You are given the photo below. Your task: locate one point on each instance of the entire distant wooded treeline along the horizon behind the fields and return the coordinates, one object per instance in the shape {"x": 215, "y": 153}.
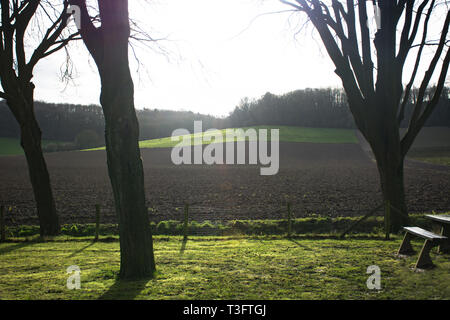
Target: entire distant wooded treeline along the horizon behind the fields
{"x": 83, "y": 125}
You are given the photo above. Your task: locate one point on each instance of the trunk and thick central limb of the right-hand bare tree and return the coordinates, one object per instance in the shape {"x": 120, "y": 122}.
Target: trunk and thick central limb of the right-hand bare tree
{"x": 387, "y": 146}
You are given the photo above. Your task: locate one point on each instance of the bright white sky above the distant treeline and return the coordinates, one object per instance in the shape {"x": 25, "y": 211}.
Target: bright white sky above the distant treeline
{"x": 219, "y": 52}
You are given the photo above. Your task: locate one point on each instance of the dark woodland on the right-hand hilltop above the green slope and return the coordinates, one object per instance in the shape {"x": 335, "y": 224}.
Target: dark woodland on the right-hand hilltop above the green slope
{"x": 321, "y": 108}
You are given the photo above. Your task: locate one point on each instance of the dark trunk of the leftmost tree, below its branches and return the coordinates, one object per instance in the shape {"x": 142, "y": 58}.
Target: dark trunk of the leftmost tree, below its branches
{"x": 37, "y": 168}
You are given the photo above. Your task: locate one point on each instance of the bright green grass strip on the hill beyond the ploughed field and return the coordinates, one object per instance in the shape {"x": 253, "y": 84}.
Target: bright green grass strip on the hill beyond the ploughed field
{"x": 287, "y": 134}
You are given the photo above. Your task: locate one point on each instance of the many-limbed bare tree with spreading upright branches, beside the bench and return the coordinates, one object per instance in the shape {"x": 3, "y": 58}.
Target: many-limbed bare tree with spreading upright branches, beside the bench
{"x": 376, "y": 96}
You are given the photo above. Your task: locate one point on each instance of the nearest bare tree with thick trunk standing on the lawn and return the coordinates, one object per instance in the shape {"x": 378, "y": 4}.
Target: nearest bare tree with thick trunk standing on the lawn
{"x": 108, "y": 45}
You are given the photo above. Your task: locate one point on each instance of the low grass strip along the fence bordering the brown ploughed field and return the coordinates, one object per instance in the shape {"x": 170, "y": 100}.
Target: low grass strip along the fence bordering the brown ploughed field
{"x": 315, "y": 225}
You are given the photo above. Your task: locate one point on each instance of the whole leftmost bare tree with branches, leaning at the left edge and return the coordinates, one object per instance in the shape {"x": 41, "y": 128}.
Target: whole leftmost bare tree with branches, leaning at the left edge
{"x": 16, "y": 73}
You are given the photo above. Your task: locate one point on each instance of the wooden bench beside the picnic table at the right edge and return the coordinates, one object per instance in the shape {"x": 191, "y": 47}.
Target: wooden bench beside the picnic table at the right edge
{"x": 431, "y": 240}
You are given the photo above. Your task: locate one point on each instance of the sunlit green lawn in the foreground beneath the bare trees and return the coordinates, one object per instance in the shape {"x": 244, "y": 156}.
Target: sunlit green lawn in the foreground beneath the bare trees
{"x": 222, "y": 268}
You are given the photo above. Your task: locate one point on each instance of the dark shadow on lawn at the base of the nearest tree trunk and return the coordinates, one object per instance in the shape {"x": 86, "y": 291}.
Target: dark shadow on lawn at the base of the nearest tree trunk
{"x": 125, "y": 289}
